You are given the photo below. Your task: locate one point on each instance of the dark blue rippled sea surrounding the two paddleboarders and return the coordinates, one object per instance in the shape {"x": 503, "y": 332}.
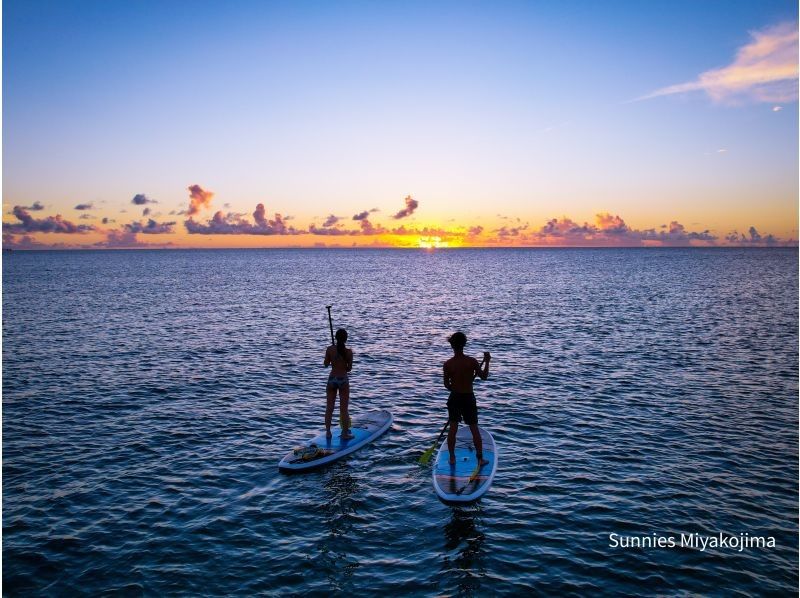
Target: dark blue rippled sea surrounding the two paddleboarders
{"x": 148, "y": 396}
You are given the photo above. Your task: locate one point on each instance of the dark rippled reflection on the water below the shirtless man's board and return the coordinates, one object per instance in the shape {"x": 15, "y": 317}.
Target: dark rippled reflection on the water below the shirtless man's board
{"x": 463, "y": 562}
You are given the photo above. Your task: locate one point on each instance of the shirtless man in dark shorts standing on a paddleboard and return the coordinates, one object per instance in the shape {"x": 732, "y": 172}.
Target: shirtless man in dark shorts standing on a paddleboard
{"x": 459, "y": 372}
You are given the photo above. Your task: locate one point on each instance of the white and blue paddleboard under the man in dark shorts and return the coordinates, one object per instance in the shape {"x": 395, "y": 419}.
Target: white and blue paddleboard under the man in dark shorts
{"x": 465, "y": 482}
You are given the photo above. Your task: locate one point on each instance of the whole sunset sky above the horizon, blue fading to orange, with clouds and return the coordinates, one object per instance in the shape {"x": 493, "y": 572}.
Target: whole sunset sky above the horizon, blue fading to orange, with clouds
{"x": 412, "y": 124}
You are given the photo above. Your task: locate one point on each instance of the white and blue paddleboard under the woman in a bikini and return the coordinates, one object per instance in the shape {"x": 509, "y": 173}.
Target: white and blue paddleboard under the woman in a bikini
{"x": 321, "y": 450}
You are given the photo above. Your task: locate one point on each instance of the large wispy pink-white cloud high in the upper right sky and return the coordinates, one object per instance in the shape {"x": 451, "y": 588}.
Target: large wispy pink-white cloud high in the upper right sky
{"x": 764, "y": 70}
